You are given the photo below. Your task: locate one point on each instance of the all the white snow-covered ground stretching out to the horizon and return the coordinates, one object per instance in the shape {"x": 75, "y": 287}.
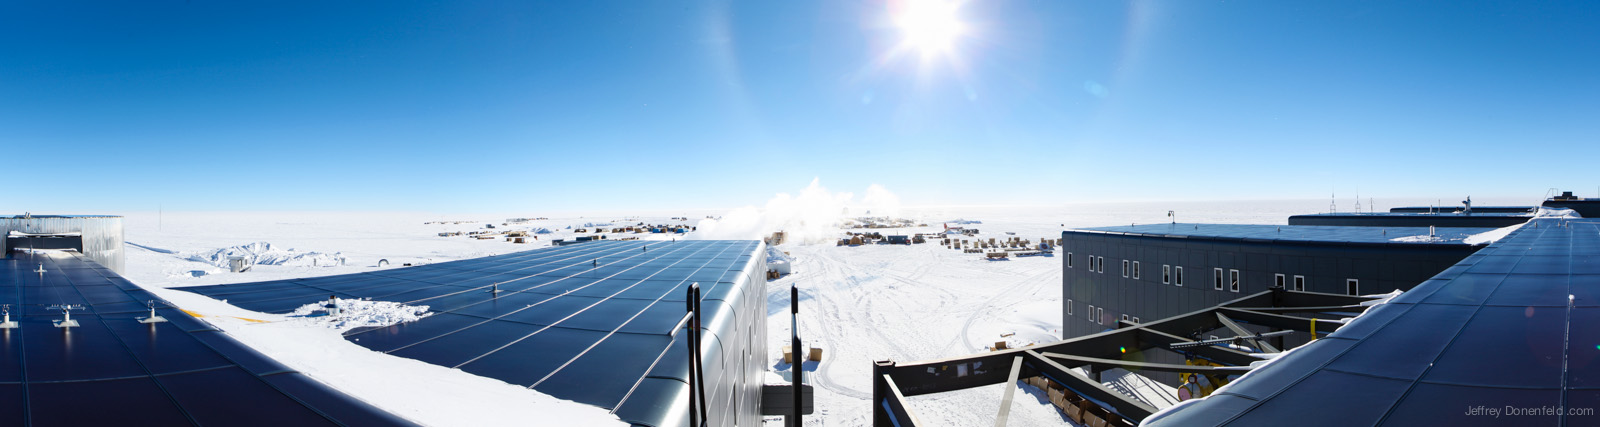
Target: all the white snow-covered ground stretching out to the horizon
{"x": 858, "y": 303}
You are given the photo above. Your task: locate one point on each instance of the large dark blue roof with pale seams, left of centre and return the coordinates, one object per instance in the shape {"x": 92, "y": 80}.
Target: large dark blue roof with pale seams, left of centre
{"x": 594, "y": 322}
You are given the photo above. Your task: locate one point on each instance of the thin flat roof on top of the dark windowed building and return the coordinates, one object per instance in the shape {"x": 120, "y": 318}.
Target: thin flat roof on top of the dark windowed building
{"x": 1327, "y": 234}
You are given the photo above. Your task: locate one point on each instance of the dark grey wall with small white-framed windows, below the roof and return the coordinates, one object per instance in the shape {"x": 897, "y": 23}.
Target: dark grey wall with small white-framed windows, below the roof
{"x": 1326, "y": 266}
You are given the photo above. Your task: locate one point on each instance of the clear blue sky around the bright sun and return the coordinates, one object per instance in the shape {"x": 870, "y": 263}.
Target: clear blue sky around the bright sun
{"x": 527, "y": 106}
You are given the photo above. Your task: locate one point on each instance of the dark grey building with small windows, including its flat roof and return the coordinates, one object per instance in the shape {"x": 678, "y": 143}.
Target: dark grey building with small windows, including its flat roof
{"x": 1150, "y": 273}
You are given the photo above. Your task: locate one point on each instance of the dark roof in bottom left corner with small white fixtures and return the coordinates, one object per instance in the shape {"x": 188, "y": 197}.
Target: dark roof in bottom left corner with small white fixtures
{"x": 118, "y": 372}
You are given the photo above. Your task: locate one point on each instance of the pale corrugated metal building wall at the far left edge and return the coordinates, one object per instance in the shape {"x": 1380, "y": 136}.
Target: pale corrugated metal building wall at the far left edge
{"x": 103, "y": 239}
